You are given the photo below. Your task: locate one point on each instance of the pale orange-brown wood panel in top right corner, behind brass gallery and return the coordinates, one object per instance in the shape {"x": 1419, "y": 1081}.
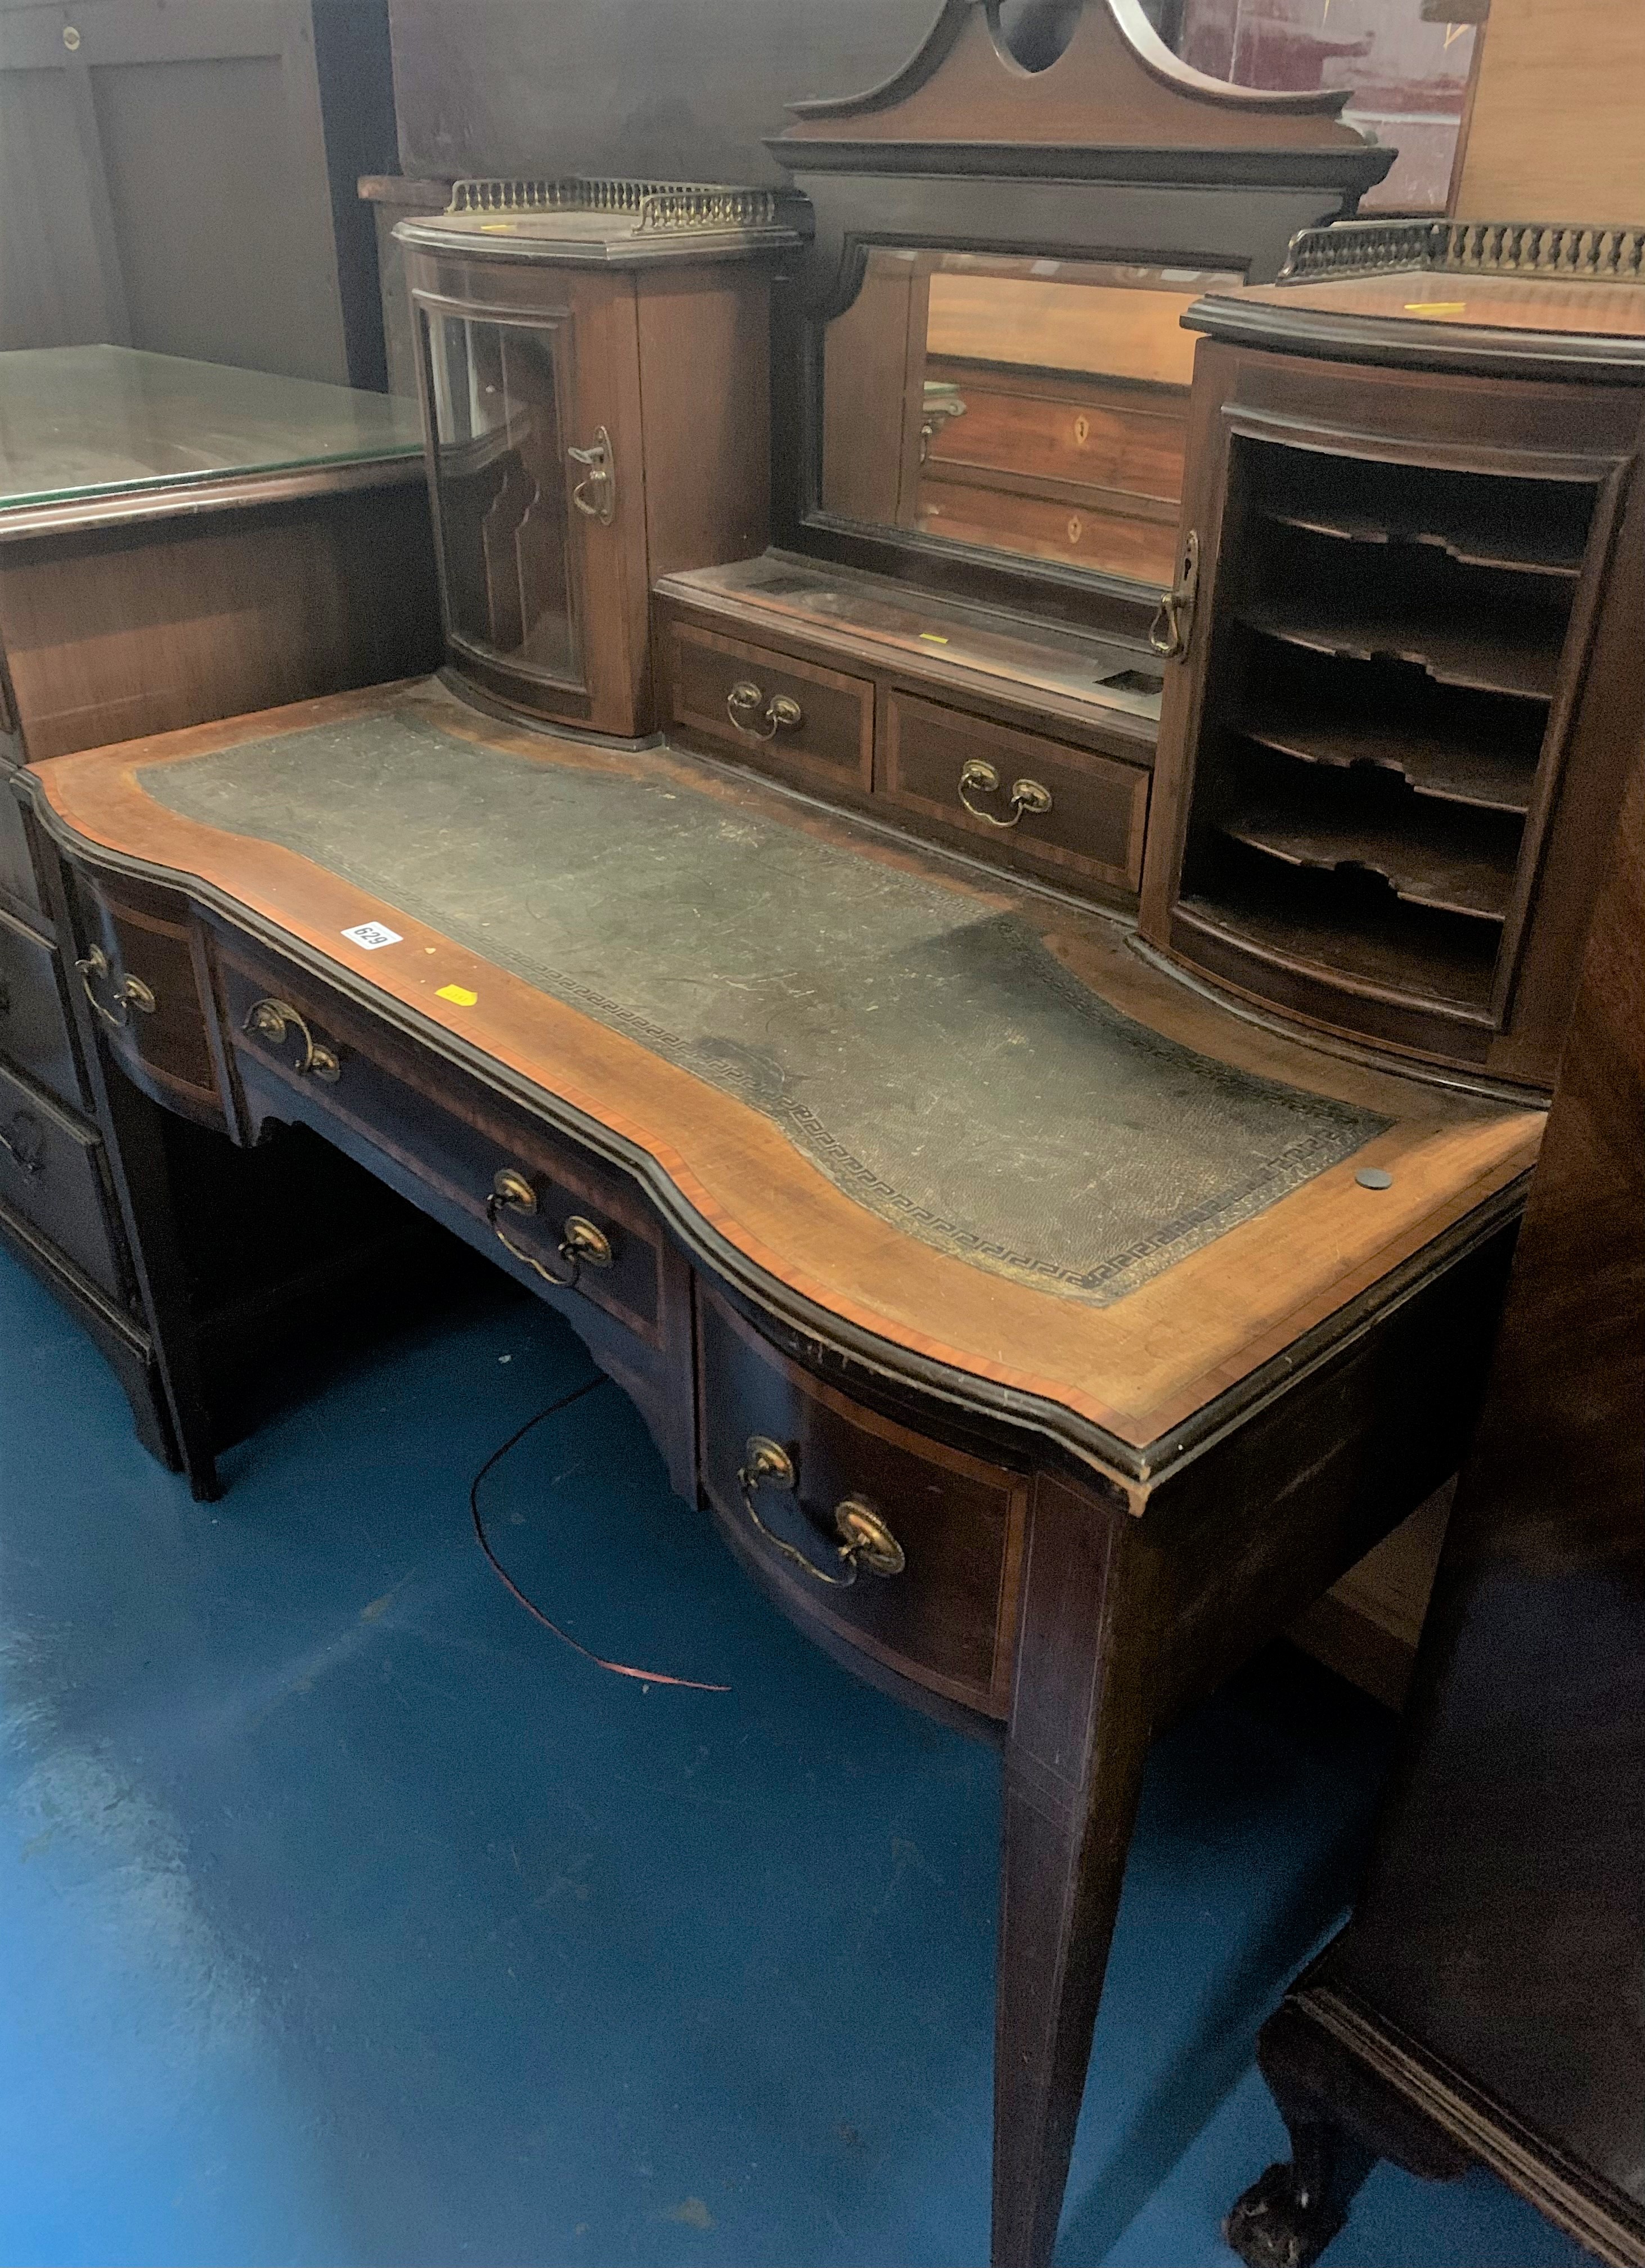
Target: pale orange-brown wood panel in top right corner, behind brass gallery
{"x": 1560, "y": 115}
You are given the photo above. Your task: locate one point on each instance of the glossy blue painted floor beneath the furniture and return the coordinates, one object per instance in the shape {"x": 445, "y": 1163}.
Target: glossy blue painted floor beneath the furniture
{"x": 348, "y": 1918}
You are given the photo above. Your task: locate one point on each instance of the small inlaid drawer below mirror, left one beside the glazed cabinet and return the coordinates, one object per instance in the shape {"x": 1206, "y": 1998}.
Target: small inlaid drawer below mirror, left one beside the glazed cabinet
{"x": 791, "y": 718}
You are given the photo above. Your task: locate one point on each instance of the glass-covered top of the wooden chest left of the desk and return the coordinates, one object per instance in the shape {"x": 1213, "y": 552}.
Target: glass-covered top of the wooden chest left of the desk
{"x": 92, "y": 434}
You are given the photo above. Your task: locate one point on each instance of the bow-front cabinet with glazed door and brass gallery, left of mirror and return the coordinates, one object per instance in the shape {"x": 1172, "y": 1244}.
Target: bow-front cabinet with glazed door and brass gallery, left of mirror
{"x": 593, "y": 366}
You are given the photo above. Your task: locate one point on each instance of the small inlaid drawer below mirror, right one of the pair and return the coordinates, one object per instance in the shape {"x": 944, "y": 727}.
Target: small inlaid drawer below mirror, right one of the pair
{"x": 1031, "y": 802}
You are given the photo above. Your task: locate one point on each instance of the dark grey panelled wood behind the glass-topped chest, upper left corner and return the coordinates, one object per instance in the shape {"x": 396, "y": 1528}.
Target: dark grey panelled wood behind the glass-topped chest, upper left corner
{"x": 180, "y": 176}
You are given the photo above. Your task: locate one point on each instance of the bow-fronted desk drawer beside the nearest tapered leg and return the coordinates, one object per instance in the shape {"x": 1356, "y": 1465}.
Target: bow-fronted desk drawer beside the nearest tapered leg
{"x": 947, "y": 1616}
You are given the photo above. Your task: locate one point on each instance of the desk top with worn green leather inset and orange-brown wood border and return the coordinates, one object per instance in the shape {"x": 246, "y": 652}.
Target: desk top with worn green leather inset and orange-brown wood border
{"x": 643, "y": 942}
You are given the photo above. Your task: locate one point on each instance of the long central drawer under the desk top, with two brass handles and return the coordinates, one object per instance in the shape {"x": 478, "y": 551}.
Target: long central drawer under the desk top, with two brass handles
{"x": 539, "y": 1205}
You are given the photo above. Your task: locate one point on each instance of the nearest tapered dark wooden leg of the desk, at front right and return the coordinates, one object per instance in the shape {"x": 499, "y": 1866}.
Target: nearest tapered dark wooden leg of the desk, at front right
{"x": 1074, "y": 1759}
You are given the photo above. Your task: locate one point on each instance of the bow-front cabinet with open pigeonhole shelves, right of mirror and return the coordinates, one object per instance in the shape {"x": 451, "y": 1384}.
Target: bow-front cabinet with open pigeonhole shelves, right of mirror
{"x": 1408, "y": 684}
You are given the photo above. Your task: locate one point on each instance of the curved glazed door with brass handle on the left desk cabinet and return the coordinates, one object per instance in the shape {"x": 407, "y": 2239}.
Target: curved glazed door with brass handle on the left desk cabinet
{"x": 539, "y": 505}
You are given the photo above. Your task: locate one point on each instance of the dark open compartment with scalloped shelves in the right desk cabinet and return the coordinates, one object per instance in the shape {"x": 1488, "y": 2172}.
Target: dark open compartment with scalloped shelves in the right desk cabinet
{"x": 1383, "y": 686}
